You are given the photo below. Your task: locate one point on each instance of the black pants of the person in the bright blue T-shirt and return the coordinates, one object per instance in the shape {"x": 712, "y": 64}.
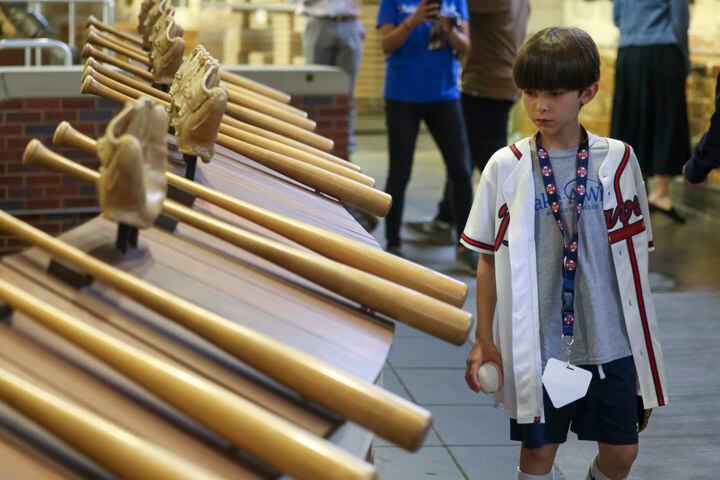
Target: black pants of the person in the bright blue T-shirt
{"x": 445, "y": 123}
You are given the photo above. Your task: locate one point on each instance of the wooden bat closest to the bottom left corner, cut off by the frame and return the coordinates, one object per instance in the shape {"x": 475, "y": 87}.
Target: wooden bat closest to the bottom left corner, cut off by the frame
{"x": 117, "y": 449}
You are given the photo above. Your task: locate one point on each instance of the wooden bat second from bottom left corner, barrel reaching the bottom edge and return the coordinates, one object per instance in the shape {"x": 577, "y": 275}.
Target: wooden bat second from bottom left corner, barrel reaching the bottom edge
{"x": 266, "y": 435}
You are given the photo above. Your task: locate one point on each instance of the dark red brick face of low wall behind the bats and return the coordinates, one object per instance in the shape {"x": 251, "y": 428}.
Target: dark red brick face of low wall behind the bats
{"x": 56, "y": 203}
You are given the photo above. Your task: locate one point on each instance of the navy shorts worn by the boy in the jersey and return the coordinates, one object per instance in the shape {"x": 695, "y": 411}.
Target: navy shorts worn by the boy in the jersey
{"x": 608, "y": 413}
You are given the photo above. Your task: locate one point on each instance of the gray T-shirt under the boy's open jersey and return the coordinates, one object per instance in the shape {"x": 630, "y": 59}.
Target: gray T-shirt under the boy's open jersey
{"x": 599, "y": 331}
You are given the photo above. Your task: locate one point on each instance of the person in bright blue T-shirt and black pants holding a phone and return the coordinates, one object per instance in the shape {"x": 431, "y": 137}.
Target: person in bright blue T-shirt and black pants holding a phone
{"x": 422, "y": 40}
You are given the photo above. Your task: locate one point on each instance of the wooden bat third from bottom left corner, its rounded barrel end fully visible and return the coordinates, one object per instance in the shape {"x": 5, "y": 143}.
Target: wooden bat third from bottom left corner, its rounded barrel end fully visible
{"x": 372, "y": 407}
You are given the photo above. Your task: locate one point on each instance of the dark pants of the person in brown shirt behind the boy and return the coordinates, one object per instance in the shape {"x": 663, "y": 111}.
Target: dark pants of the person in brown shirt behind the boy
{"x": 486, "y": 122}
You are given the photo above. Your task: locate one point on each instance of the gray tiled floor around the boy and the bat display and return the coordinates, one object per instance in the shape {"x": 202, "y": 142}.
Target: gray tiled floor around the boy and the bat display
{"x": 470, "y": 439}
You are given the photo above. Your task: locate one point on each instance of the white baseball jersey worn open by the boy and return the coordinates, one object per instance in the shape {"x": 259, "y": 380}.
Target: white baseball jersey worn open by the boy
{"x": 501, "y": 223}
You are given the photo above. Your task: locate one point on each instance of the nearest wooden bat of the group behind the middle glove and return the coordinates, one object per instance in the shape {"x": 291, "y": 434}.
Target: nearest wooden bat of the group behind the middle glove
{"x": 330, "y": 183}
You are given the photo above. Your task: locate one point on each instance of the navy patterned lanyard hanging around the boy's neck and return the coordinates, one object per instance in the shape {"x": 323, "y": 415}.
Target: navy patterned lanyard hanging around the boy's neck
{"x": 570, "y": 249}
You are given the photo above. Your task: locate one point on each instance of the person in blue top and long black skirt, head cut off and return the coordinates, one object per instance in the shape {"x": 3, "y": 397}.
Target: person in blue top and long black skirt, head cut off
{"x": 649, "y": 107}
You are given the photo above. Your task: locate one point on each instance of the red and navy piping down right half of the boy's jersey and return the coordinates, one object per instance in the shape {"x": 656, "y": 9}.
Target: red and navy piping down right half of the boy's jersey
{"x": 637, "y": 283}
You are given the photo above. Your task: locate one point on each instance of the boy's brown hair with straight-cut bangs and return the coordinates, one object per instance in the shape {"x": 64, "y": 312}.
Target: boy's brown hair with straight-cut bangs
{"x": 557, "y": 58}
